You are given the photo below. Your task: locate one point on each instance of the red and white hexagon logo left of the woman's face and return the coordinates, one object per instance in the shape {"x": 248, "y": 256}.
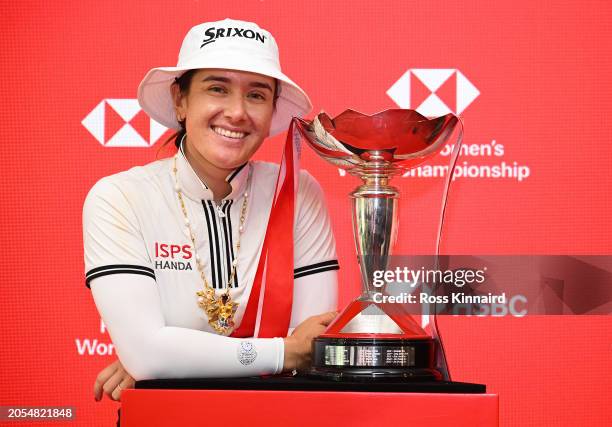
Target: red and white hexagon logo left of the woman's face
{"x": 122, "y": 123}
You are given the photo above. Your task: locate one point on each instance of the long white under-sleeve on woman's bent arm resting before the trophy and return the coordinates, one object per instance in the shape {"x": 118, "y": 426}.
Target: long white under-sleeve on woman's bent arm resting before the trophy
{"x": 131, "y": 309}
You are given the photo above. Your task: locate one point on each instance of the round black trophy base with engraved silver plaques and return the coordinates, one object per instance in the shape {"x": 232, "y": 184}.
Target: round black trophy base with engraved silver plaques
{"x": 374, "y": 358}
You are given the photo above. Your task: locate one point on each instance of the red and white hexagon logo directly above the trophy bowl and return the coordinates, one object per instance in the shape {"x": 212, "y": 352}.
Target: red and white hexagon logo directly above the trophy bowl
{"x": 433, "y": 91}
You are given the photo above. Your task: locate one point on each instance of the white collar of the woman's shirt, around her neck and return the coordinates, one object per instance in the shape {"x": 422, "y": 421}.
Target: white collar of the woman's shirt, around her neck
{"x": 194, "y": 188}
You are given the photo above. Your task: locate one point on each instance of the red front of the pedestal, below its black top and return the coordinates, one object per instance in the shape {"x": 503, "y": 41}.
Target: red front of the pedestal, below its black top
{"x": 305, "y": 408}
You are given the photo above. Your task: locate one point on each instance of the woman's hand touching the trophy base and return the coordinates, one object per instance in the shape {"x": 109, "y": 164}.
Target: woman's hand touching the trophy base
{"x": 298, "y": 346}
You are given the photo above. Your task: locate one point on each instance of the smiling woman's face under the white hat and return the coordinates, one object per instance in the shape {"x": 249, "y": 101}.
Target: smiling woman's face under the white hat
{"x": 227, "y": 116}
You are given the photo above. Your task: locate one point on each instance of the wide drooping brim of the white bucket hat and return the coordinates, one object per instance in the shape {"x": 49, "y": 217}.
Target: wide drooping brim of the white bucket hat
{"x": 155, "y": 98}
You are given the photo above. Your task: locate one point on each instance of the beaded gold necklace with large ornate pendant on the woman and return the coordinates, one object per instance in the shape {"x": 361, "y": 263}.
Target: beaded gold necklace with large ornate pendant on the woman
{"x": 219, "y": 309}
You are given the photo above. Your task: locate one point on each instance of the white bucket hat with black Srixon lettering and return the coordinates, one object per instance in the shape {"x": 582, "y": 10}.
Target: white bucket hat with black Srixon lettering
{"x": 227, "y": 44}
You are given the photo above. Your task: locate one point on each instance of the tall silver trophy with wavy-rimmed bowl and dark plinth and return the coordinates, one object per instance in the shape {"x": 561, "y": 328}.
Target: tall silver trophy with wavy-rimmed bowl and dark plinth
{"x": 371, "y": 340}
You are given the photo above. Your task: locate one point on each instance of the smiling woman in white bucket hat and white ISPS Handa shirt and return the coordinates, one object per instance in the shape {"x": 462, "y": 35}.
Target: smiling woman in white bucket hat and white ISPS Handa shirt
{"x": 172, "y": 249}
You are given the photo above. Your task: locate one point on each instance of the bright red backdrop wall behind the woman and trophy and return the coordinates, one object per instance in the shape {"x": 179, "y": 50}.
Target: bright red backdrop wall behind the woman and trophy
{"x": 528, "y": 76}
